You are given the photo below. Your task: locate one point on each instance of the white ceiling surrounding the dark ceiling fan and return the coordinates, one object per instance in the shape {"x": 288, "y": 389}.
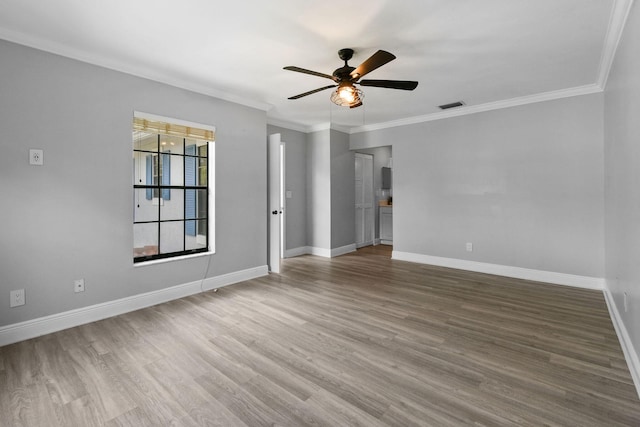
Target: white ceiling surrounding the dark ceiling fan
{"x": 483, "y": 52}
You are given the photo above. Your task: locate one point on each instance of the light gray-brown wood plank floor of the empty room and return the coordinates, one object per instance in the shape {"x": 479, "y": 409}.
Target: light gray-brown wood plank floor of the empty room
{"x": 358, "y": 340}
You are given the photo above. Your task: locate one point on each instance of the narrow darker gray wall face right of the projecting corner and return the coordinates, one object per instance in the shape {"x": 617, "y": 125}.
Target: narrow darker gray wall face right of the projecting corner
{"x": 343, "y": 193}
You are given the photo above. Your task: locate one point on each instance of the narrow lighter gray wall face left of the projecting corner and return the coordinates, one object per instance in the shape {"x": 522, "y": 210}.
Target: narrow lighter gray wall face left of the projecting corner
{"x": 319, "y": 190}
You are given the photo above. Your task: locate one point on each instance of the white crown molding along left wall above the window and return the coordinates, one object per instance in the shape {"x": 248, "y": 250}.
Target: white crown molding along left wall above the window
{"x": 123, "y": 67}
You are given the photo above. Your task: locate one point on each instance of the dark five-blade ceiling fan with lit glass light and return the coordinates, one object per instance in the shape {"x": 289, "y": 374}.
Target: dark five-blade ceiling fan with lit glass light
{"x": 346, "y": 77}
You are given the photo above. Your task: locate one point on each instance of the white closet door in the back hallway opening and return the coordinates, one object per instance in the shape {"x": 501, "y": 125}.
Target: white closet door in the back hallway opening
{"x": 365, "y": 226}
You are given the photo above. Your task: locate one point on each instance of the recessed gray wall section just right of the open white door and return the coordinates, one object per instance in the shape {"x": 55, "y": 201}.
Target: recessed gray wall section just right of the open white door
{"x": 295, "y": 143}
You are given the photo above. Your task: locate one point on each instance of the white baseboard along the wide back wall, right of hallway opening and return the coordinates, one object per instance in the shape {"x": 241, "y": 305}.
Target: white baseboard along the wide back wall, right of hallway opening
{"x": 584, "y": 282}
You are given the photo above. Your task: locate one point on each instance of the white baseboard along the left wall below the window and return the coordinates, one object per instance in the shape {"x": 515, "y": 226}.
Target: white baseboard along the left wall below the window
{"x": 68, "y": 319}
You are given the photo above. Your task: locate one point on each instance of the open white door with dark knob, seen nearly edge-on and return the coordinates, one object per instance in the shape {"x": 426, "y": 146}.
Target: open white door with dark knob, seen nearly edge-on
{"x": 275, "y": 206}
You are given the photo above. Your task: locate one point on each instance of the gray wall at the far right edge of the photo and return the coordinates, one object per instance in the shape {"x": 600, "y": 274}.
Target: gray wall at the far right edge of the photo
{"x": 622, "y": 166}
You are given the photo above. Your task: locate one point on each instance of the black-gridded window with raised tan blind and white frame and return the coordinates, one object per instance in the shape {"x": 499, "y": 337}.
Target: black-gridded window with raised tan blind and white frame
{"x": 172, "y": 206}
